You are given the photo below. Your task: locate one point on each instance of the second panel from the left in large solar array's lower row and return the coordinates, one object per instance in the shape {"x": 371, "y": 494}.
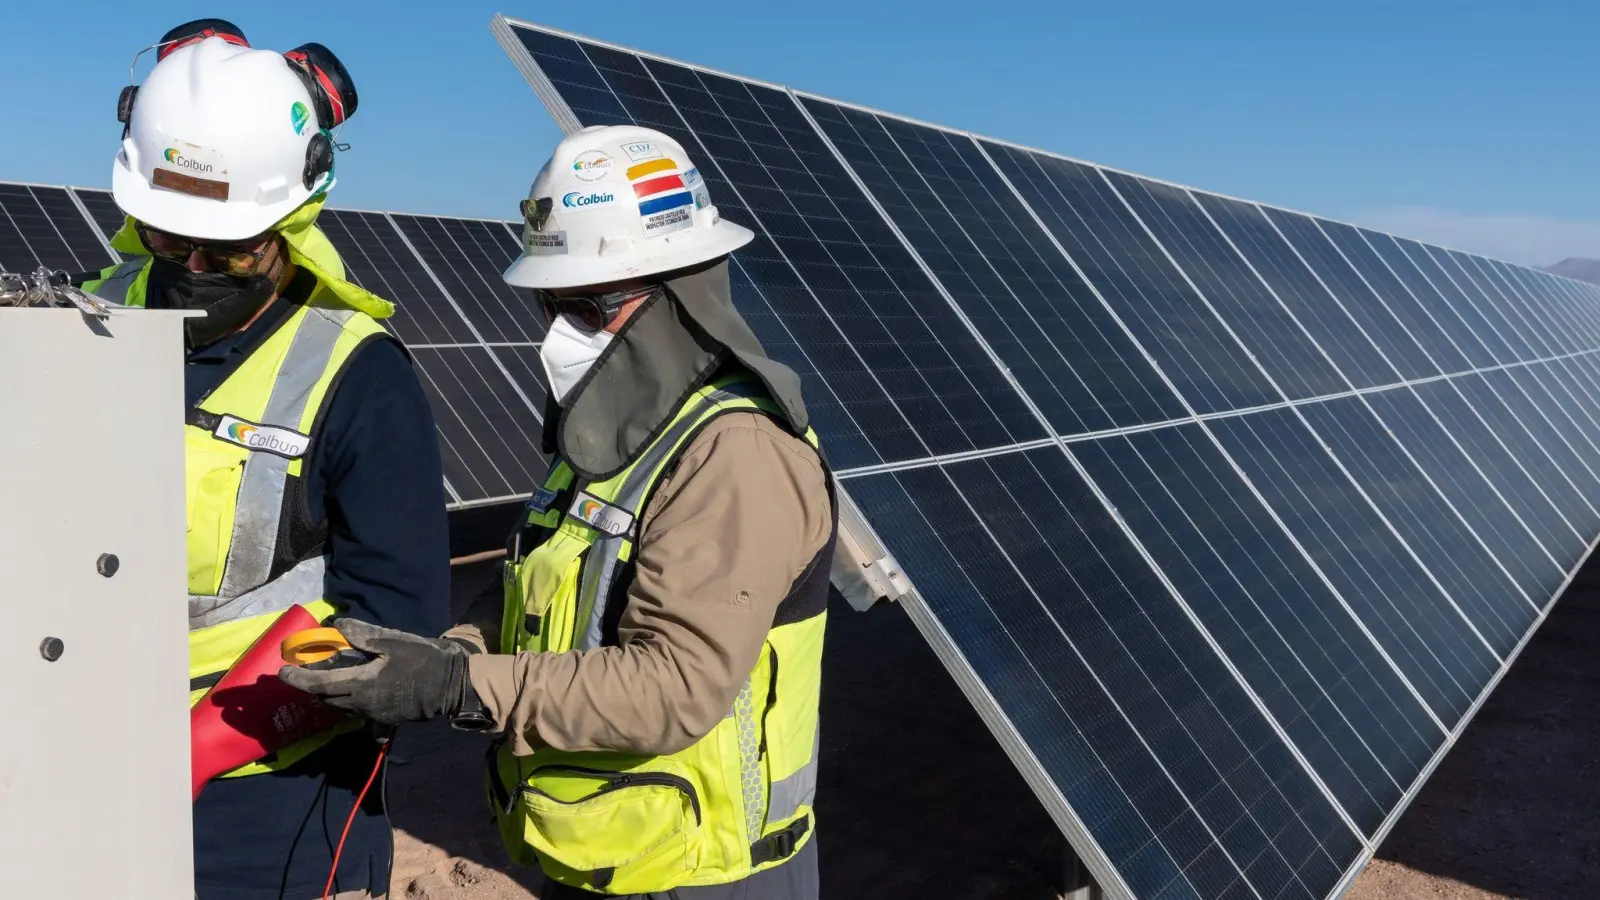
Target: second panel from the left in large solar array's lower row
{"x": 1318, "y": 675}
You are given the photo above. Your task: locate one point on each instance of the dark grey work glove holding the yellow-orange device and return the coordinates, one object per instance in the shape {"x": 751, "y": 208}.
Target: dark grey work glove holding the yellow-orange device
{"x": 410, "y": 680}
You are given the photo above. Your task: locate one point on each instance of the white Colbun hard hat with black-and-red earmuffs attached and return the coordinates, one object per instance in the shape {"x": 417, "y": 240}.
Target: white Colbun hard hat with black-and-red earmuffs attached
{"x": 217, "y": 143}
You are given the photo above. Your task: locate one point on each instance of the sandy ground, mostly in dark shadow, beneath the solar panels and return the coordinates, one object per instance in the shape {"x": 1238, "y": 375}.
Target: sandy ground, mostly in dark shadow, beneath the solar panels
{"x": 1511, "y": 813}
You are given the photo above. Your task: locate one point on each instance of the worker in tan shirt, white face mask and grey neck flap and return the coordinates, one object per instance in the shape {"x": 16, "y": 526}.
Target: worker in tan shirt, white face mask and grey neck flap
{"x": 652, "y": 667}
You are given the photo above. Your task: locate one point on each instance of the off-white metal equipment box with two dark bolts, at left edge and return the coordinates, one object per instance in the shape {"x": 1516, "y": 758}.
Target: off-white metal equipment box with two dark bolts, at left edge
{"x": 94, "y": 625}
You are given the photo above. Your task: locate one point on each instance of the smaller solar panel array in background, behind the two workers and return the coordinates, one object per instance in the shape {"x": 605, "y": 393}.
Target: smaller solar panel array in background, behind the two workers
{"x": 473, "y": 337}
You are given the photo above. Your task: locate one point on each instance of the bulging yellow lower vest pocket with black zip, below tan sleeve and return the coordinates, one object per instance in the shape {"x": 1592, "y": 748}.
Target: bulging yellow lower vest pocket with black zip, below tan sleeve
{"x": 623, "y": 832}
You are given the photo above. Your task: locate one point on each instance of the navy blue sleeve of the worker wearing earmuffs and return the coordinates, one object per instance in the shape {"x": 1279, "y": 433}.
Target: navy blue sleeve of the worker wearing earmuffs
{"x": 380, "y": 481}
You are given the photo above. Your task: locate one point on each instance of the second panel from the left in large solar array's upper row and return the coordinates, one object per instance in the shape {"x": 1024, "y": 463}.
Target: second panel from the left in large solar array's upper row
{"x": 1001, "y": 268}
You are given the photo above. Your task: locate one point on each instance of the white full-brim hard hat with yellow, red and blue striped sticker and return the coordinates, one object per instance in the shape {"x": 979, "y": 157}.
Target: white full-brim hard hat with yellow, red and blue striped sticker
{"x": 618, "y": 203}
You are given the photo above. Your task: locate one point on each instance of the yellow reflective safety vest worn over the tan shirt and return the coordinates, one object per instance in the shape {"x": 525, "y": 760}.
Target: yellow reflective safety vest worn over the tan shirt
{"x": 735, "y": 803}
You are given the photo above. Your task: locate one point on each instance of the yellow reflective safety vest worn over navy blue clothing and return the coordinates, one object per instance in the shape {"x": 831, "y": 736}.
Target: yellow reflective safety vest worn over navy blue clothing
{"x": 246, "y": 446}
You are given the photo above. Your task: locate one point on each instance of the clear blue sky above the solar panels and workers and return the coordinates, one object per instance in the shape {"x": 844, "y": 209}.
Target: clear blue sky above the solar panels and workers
{"x": 1465, "y": 123}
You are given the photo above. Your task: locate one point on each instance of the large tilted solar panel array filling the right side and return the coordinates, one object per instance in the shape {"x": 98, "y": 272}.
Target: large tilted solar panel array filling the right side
{"x": 1225, "y": 516}
